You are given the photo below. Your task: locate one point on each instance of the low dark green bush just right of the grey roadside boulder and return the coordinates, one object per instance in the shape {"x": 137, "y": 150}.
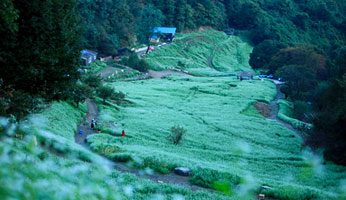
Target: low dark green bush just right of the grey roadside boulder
{"x": 208, "y": 178}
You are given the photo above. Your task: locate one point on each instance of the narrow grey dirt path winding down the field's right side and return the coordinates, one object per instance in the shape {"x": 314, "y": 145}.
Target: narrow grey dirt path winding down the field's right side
{"x": 274, "y": 106}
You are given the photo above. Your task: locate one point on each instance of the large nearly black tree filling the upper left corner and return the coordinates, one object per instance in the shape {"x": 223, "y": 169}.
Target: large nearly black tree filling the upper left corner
{"x": 42, "y": 57}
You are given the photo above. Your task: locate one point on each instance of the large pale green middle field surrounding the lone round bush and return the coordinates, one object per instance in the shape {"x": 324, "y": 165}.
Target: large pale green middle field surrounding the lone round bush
{"x": 218, "y": 136}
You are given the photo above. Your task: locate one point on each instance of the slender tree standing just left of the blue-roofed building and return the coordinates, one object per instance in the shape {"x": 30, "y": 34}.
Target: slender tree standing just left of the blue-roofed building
{"x": 150, "y": 18}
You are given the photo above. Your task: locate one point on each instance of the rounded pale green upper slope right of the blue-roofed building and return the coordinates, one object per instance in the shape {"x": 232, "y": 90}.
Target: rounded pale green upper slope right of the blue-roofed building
{"x": 231, "y": 54}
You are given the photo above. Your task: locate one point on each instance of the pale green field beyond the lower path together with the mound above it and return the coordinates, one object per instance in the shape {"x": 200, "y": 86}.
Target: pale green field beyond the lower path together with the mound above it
{"x": 220, "y": 136}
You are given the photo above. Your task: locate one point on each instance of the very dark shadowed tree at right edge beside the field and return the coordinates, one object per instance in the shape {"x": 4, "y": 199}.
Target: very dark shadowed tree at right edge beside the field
{"x": 329, "y": 125}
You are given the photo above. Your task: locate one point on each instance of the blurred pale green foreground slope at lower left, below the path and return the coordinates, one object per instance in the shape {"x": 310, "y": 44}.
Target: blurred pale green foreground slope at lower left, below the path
{"x": 33, "y": 172}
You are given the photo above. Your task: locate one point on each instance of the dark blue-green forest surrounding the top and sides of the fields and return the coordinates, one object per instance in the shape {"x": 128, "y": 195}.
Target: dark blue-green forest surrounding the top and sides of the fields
{"x": 302, "y": 41}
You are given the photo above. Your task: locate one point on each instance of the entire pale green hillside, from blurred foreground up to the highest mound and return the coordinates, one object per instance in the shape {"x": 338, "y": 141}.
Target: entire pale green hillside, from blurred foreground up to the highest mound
{"x": 228, "y": 145}
